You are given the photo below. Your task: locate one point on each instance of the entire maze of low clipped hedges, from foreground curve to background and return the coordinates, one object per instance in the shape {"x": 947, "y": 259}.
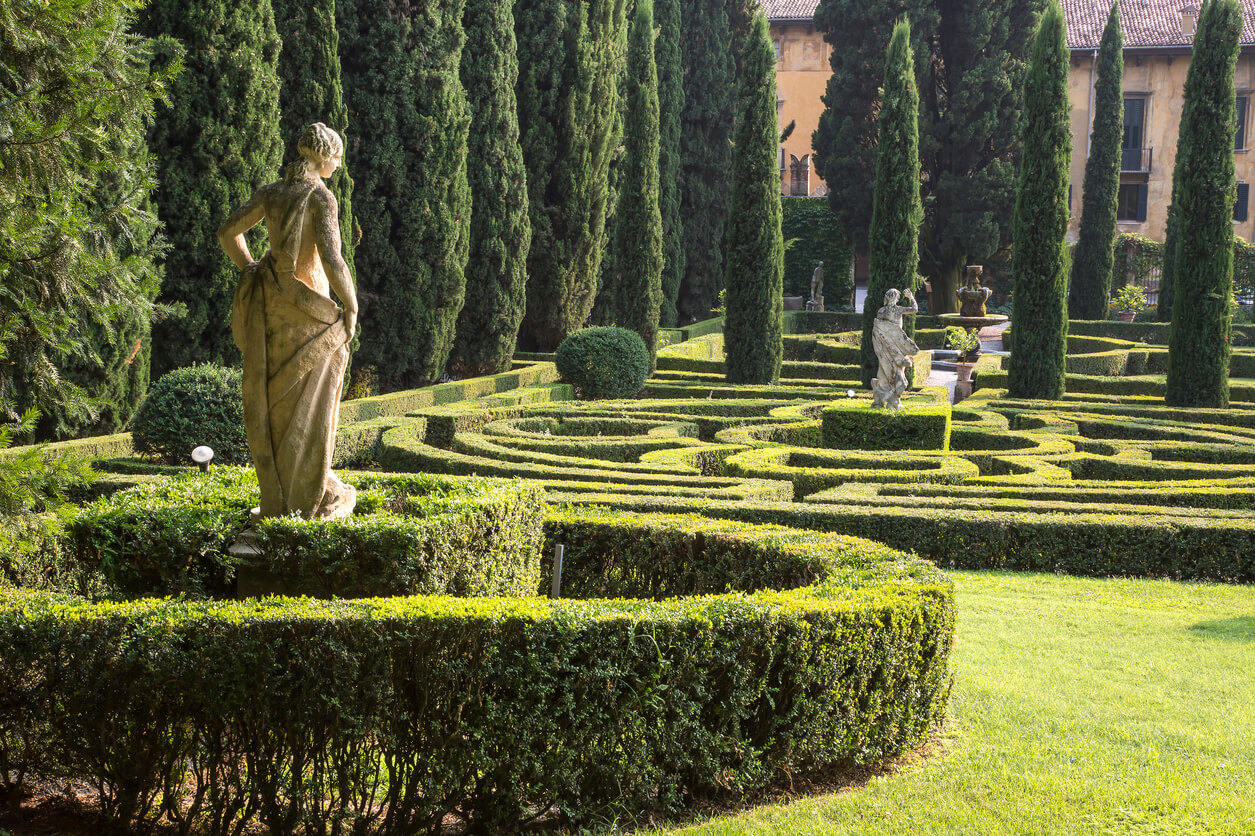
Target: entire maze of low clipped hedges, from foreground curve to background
{"x": 750, "y": 589}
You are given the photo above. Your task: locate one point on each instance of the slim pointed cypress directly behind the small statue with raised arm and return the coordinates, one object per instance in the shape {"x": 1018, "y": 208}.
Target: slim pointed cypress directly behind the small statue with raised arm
{"x": 893, "y": 242}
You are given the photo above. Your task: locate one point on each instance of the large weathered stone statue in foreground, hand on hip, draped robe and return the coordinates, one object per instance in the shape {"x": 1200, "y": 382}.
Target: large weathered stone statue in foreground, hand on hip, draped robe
{"x": 296, "y": 340}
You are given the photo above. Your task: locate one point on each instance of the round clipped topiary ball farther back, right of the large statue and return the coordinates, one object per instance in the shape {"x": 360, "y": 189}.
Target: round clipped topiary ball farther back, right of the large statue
{"x": 604, "y": 362}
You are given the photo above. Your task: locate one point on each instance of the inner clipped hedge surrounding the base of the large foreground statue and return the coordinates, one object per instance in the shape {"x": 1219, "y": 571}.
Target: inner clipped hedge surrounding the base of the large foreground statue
{"x": 410, "y": 535}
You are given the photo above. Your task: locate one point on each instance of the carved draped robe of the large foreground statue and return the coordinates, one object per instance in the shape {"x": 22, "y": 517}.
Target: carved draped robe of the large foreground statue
{"x": 296, "y": 351}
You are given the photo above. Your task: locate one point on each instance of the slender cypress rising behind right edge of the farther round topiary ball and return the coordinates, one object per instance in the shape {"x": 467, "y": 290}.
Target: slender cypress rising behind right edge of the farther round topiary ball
{"x": 639, "y": 224}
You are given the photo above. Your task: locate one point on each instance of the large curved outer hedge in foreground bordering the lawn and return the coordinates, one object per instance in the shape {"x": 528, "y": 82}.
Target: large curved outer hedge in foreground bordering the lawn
{"x": 388, "y": 716}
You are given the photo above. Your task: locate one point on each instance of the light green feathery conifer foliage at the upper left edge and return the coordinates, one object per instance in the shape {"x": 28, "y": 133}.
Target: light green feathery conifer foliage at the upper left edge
{"x": 78, "y": 240}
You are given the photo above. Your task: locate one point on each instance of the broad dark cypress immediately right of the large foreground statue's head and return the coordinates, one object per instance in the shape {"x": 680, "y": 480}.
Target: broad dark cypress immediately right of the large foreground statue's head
{"x": 401, "y": 66}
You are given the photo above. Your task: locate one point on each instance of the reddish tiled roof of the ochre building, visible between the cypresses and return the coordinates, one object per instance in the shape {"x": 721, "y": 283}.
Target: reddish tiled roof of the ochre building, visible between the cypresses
{"x": 1148, "y": 23}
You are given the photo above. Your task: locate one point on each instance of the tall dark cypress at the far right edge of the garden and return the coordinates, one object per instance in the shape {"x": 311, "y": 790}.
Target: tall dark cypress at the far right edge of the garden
{"x": 1199, "y": 340}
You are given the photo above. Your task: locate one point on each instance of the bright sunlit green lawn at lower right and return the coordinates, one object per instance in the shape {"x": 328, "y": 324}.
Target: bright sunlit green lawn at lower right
{"x": 1080, "y": 707}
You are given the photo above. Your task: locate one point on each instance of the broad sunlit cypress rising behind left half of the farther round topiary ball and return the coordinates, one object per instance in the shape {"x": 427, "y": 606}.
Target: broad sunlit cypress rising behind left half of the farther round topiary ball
{"x": 570, "y": 58}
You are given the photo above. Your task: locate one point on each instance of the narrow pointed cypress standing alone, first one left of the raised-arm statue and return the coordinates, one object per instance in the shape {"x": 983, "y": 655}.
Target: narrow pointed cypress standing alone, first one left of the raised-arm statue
{"x": 754, "y": 336}
